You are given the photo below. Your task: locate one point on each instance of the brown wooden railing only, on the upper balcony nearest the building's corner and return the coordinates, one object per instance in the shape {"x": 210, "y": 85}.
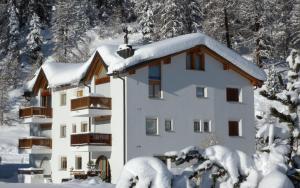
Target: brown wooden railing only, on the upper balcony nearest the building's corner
{"x": 91, "y": 102}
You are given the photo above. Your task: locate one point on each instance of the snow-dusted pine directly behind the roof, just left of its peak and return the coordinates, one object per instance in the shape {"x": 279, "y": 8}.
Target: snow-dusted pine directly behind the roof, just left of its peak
{"x": 173, "y": 19}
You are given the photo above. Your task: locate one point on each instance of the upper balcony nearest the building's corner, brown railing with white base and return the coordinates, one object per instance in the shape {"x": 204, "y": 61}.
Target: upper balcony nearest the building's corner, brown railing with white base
{"x": 91, "y": 106}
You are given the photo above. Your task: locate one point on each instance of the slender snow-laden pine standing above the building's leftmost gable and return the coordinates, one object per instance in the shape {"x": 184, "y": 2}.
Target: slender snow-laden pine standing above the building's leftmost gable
{"x": 35, "y": 40}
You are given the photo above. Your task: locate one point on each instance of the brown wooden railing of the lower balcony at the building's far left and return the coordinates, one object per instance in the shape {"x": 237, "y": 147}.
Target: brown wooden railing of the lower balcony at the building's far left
{"x": 27, "y": 143}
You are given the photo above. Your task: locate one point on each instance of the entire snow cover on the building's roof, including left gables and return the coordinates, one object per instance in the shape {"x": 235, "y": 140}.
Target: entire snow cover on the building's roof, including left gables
{"x": 60, "y": 73}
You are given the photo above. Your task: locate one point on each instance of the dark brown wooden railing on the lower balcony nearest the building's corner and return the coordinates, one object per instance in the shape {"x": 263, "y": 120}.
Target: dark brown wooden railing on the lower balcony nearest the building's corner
{"x": 91, "y": 139}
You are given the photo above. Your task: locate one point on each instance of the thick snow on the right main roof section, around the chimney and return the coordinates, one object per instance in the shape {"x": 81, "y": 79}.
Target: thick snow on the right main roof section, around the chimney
{"x": 174, "y": 45}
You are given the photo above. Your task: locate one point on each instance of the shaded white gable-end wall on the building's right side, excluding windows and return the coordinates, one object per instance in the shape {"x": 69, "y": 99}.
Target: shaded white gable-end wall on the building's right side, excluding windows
{"x": 180, "y": 104}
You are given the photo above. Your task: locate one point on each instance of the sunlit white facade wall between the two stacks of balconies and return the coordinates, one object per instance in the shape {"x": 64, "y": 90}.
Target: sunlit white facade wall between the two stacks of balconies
{"x": 62, "y": 146}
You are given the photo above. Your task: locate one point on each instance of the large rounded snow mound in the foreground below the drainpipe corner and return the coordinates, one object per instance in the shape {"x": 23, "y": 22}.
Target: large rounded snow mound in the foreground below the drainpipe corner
{"x": 143, "y": 172}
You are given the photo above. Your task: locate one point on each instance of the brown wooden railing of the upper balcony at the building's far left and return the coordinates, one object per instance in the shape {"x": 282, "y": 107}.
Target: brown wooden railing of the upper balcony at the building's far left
{"x": 35, "y": 111}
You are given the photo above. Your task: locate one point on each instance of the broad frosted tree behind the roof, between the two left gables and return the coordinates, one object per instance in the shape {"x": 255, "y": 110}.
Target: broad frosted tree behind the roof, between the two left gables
{"x": 70, "y": 21}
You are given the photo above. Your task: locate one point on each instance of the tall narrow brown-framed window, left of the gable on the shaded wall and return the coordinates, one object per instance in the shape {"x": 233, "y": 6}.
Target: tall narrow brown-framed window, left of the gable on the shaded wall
{"x": 155, "y": 81}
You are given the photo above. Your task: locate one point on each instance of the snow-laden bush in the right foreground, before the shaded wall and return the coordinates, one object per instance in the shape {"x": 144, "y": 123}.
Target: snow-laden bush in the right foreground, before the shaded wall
{"x": 219, "y": 166}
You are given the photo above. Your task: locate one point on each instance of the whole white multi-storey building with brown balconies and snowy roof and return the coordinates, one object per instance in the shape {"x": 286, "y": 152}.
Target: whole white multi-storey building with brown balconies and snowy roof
{"x": 128, "y": 101}
